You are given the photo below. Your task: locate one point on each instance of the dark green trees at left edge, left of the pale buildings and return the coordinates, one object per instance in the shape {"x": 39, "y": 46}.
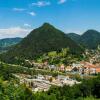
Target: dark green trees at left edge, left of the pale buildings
{"x": 6, "y": 71}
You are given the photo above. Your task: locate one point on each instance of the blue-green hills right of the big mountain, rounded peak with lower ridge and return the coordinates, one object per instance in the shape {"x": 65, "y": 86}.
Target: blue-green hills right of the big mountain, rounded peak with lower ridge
{"x": 90, "y": 39}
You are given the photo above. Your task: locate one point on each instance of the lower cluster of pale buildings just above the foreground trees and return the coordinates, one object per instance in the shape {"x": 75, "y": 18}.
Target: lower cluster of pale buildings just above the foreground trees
{"x": 43, "y": 82}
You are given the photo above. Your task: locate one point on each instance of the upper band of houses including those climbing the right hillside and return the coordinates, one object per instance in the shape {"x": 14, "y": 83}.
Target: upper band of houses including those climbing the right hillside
{"x": 89, "y": 66}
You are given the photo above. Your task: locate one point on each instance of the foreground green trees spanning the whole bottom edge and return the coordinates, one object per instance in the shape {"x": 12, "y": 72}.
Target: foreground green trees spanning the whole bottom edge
{"x": 88, "y": 90}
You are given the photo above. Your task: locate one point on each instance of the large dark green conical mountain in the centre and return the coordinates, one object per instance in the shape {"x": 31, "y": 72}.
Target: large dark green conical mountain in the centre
{"x": 41, "y": 40}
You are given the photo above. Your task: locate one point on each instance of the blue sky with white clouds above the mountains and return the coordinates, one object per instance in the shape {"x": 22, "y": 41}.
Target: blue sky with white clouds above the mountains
{"x": 19, "y": 17}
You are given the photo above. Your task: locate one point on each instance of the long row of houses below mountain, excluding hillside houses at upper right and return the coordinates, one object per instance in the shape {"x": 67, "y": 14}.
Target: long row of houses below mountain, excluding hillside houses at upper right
{"x": 79, "y": 67}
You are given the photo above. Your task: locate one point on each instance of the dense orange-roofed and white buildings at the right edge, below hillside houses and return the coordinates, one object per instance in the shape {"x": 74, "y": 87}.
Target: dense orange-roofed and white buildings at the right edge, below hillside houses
{"x": 84, "y": 68}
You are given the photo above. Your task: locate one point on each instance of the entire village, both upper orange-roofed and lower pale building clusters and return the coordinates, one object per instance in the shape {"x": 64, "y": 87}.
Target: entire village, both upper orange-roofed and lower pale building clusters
{"x": 43, "y": 82}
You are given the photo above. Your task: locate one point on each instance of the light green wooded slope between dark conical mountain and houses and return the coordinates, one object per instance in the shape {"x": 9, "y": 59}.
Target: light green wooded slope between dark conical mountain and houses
{"x": 63, "y": 56}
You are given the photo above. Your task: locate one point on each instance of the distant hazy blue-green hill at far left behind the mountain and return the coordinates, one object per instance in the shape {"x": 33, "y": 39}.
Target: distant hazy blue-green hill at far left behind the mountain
{"x": 6, "y": 43}
